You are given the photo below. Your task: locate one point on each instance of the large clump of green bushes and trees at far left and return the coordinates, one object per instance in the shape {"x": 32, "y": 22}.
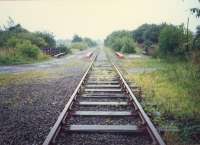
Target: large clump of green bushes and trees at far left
{"x": 18, "y": 45}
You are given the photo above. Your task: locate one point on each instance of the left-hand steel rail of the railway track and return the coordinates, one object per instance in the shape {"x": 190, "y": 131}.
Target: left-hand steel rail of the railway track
{"x": 57, "y": 126}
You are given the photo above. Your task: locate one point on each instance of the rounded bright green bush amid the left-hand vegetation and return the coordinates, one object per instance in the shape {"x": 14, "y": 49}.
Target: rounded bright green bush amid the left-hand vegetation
{"x": 27, "y": 49}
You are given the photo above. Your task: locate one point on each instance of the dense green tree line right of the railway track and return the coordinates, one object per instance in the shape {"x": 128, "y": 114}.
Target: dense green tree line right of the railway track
{"x": 165, "y": 39}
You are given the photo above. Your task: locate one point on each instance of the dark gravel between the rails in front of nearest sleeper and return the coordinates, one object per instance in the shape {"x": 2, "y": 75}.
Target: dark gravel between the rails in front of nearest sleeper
{"x": 103, "y": 139}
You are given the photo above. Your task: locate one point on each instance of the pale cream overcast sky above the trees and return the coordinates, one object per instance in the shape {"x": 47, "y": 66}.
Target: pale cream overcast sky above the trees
{"x": 95, "y": 18}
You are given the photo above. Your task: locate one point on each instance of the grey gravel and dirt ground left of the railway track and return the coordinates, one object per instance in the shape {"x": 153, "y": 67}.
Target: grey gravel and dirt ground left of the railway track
{"x": 29, "y": 108}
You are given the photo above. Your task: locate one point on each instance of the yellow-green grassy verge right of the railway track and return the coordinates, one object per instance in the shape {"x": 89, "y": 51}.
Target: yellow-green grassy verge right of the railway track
{"x": 171, "y": 94}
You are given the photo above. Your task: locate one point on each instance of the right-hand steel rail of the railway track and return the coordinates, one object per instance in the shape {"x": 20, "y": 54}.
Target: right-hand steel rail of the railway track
{"x": 150, "y": 127}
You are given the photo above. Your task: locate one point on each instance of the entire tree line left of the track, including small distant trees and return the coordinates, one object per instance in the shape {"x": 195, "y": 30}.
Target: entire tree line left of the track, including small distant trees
{"x": 18, "y": 45}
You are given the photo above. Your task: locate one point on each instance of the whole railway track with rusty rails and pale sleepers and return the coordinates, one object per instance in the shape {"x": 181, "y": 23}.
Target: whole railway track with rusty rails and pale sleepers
{"x": 103, "y": 110}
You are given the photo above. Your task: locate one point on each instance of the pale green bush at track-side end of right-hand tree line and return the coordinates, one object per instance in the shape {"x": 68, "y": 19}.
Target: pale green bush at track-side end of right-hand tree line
{"x": 120, "y": 41}
